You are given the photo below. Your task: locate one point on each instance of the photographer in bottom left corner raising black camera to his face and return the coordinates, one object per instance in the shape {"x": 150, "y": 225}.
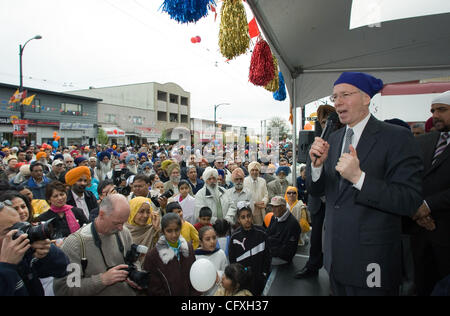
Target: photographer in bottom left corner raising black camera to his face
{"x": 23, "y": 262}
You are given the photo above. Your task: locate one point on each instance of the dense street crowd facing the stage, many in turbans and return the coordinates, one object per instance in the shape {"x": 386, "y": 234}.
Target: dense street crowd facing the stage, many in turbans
{"x": 98, "y": 197}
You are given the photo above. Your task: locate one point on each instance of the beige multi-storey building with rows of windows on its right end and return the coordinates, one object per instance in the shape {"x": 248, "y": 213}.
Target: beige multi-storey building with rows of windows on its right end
{"x": 140, "y": 113}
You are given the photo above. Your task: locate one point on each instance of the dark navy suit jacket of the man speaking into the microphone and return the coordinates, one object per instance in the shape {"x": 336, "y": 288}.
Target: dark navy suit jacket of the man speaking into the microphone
{"x": 364, "y": 227}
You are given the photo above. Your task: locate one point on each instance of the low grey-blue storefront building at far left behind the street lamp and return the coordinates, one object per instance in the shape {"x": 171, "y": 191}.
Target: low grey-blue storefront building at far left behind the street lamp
{"x": 74, "y": 118}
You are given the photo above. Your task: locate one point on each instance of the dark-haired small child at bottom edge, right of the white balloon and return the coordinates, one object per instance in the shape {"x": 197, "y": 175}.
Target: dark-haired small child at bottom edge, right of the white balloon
{"x": 235, "y": 281}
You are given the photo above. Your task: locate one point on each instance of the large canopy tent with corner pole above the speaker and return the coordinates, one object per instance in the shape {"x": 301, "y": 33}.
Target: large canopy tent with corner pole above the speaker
{"x": 313, "y": 42}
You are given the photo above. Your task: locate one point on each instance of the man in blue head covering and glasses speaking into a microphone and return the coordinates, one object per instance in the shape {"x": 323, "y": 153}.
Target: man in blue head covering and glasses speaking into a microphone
{"x": 367, "y": 191}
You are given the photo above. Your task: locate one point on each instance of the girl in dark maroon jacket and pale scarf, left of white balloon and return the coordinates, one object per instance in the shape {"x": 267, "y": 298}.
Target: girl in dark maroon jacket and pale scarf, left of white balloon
{"x": 169, "y": 263}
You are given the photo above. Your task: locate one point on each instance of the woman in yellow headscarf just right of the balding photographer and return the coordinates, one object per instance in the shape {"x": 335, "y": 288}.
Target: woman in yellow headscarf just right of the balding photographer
{"x": 143, "y": 223}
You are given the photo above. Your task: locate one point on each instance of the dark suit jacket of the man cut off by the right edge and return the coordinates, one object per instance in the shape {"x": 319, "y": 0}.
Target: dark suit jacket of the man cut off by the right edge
{"x": 436, "y": 189}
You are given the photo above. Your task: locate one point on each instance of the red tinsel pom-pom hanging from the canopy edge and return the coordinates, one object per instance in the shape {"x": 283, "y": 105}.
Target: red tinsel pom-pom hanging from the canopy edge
{"x": 261, "y": 64}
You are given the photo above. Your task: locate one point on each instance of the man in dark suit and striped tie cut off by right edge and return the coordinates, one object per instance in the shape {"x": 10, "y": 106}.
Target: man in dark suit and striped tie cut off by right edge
{"x": 430, "y": 235}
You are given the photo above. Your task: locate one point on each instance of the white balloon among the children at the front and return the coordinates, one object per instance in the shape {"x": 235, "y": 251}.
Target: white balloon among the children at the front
{"x": 203, "y": 275}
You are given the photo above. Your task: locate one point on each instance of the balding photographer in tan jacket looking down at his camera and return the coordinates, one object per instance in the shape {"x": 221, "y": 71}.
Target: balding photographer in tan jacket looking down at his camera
{"x": 103, "y": 244}
